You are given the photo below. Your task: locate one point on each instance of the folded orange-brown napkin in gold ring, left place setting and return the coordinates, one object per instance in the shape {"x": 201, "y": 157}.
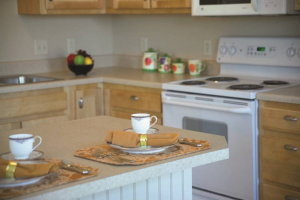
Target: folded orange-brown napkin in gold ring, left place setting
{"x": 28, "y": 170}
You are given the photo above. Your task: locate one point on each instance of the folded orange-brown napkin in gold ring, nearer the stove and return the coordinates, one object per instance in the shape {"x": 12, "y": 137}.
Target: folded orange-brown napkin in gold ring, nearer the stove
{"x": 129, "y": 139}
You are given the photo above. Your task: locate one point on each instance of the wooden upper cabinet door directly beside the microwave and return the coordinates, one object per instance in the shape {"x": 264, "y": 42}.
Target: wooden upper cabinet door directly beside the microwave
{"x": 171, "y": 4}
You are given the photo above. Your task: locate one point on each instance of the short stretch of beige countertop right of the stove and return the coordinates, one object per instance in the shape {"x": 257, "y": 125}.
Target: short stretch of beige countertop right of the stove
{"x": 285, "y": 95}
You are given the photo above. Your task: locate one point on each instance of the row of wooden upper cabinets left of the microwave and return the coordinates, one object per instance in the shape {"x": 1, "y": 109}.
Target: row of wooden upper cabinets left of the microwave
{"x": 52, "y": 7}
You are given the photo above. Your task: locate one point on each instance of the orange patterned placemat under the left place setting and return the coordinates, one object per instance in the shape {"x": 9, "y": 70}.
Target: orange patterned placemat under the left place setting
{"x": 58, "y": 178}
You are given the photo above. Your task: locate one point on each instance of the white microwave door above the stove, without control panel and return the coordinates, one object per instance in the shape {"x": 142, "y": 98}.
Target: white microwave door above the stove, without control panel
{"x": 224, "y": 7}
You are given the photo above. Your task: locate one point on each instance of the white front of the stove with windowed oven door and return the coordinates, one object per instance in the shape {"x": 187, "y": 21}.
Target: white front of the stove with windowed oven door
{"x": 235, "y": 177}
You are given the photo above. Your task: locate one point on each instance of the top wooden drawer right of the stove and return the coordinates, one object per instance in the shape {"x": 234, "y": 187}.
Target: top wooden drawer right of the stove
{"x": 281, "y": 120}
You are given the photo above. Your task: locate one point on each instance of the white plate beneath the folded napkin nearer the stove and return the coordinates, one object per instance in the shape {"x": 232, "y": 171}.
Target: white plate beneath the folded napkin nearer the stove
{"x": 140, "y": 150}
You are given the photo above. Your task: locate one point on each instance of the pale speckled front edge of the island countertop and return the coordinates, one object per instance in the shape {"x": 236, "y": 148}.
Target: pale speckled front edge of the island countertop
{"x": 127, "y": 178}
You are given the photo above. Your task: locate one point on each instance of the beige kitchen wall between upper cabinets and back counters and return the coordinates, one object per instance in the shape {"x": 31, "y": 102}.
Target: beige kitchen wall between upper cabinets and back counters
{"x": 116, "y": 39}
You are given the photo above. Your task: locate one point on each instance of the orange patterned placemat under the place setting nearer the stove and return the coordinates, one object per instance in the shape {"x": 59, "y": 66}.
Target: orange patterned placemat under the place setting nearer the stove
{"x": 140, "y": 159}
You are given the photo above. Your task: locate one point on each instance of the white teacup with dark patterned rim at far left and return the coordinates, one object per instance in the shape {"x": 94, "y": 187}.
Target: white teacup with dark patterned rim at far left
{"x": 21, "y": 145}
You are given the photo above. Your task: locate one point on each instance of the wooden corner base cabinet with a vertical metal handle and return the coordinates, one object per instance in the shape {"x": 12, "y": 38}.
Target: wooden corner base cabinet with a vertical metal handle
{"x": 87, "y": 101}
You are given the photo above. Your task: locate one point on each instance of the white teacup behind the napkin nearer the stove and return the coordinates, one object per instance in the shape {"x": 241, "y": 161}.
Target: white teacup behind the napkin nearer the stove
{"x": 141, "y": 122}
